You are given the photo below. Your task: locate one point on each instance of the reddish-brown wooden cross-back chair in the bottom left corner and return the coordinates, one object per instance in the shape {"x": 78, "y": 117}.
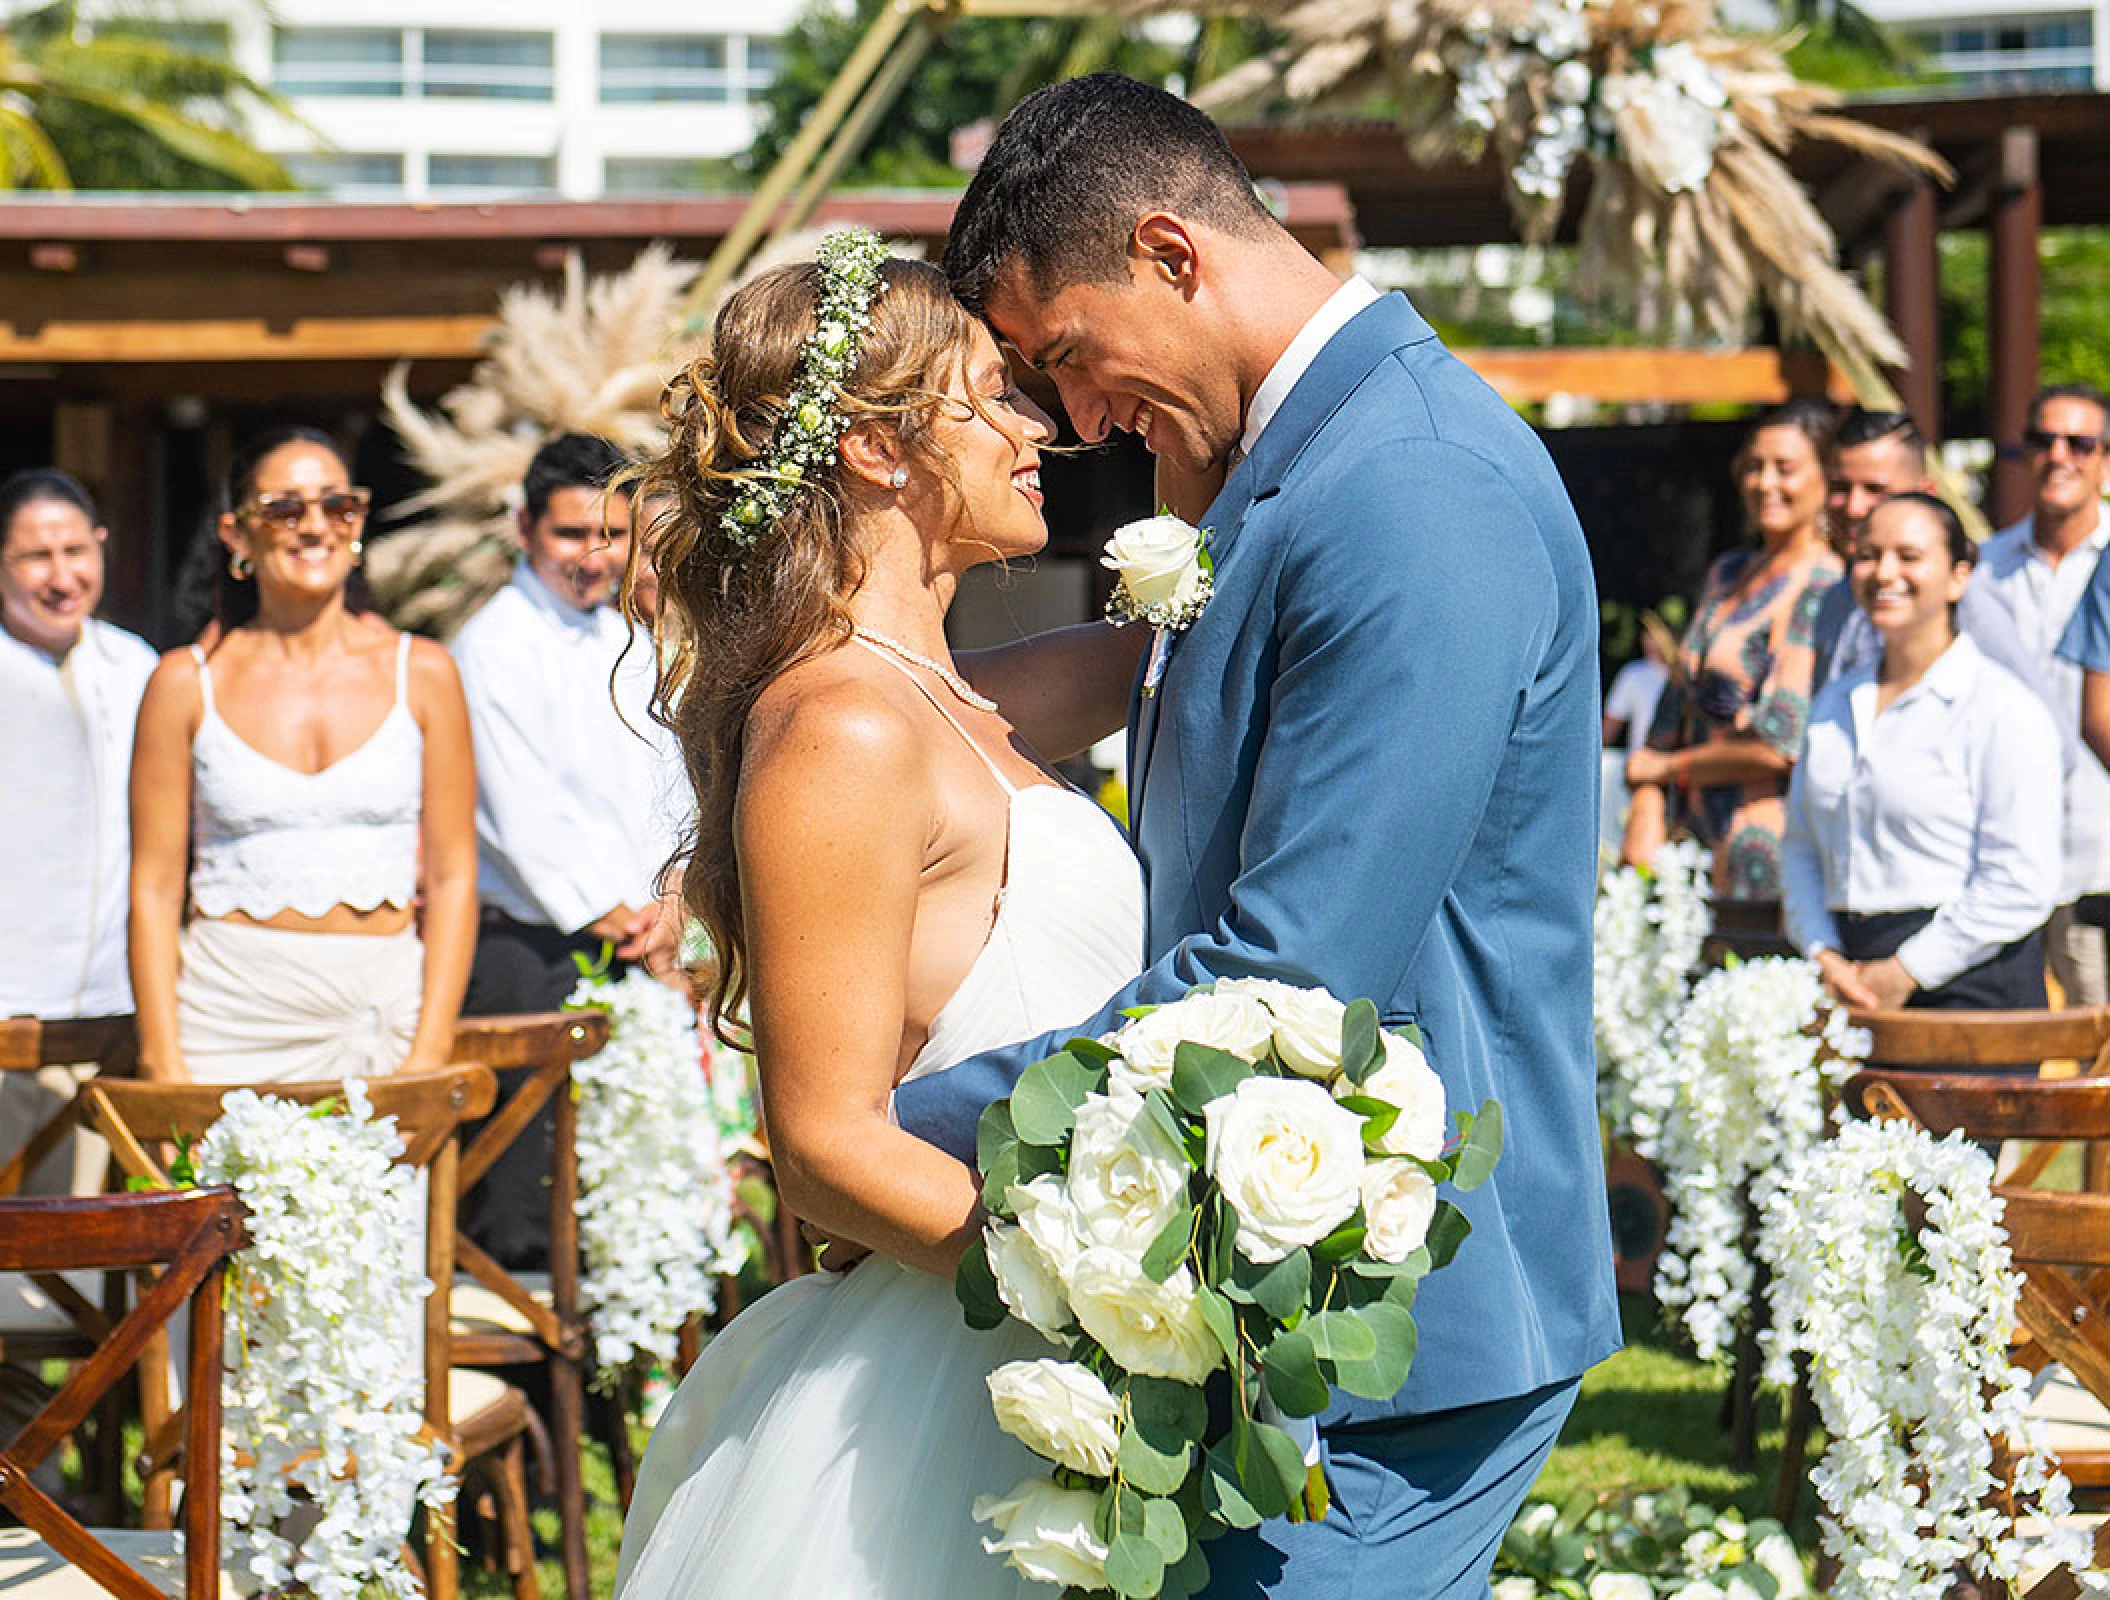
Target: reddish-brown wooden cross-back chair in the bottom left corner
{"x": 189, "y": 1238}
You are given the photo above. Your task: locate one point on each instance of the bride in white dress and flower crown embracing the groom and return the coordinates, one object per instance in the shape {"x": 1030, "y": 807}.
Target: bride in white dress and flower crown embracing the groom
{"x": 894, "y": 881}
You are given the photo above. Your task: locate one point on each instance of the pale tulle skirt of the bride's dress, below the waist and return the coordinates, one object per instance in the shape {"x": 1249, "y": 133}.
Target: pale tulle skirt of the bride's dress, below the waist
{"x": 828, "y": 1447}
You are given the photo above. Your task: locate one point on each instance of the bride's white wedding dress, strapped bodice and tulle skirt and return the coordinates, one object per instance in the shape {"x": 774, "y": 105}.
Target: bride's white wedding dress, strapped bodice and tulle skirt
{"x": 832, "y": 1441}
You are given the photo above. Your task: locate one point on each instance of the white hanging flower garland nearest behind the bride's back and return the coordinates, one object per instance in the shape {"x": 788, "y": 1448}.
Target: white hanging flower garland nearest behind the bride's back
{"x": 655, "y": 1194}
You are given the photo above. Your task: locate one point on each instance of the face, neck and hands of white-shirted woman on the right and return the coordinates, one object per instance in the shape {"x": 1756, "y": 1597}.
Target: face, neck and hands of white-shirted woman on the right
{"x": 1908, "y": 584}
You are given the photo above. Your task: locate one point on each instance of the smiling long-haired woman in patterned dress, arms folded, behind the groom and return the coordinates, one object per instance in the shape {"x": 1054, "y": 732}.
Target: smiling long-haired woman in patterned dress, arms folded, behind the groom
{"x": 1727, "y": 729}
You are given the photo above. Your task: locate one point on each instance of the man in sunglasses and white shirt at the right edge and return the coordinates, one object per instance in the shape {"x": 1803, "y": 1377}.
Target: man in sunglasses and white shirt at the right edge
{"x": 2041, "y": 571}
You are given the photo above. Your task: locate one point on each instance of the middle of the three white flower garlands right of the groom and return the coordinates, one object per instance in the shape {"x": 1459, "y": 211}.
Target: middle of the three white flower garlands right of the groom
{"x": 1738, "y": 1094}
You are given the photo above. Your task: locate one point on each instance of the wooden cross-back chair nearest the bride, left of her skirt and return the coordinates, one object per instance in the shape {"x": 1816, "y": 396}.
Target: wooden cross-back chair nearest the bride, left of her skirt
{"x": 501, "y": 1318}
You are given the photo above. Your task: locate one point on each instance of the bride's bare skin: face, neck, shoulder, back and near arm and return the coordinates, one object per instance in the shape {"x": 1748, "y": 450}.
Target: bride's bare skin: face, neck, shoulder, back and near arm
{"x": 872, "y": 839}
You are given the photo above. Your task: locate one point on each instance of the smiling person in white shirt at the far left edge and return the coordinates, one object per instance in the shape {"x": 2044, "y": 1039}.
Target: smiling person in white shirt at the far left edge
{"x": 71, "y": 693}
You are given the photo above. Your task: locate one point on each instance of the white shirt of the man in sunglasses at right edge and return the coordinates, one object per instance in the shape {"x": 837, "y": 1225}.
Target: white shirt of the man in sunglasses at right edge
{"x": 2041, "y": 601}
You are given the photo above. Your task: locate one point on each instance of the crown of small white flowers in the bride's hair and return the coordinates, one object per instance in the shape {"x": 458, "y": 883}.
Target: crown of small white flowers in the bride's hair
{"x": 805, "y": 440}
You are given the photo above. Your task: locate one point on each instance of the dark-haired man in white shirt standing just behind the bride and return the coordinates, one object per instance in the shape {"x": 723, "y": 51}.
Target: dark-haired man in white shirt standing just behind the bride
{"x": 575, "y": 784}
